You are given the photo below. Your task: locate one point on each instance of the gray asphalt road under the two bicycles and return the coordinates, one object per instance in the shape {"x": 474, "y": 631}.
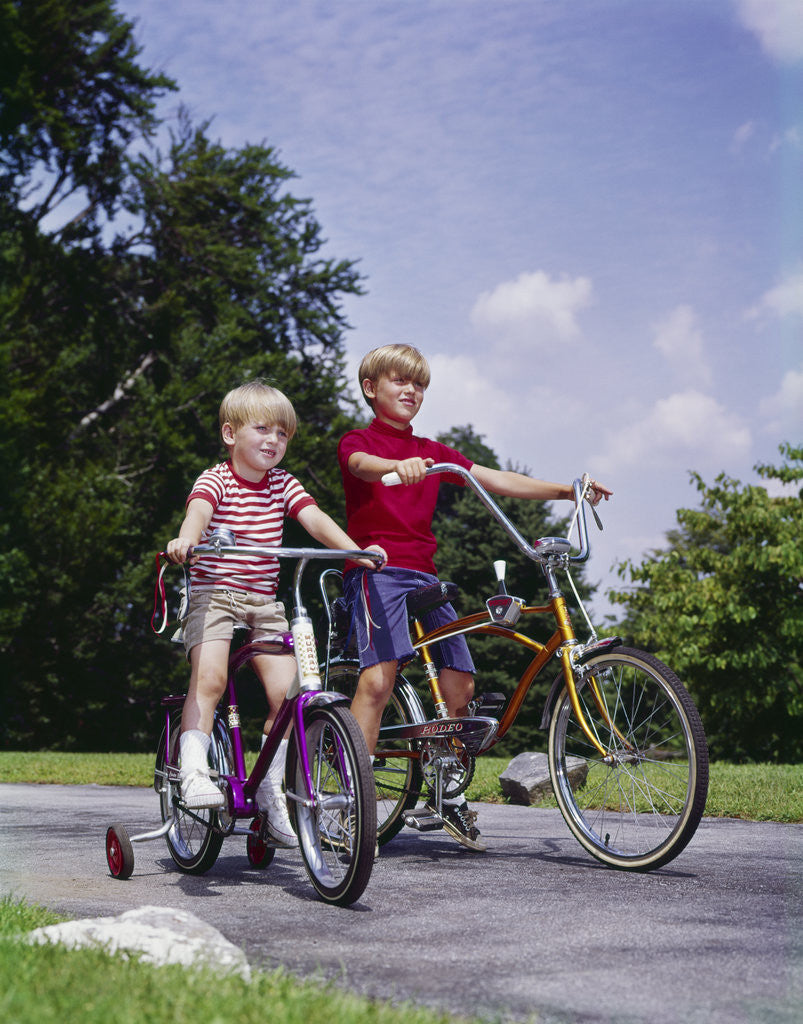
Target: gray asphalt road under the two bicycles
{"x": 534, "y": 929}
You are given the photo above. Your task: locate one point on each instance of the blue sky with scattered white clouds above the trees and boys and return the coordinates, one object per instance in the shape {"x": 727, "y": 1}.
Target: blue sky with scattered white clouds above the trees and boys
{"x": 587, "y": 215}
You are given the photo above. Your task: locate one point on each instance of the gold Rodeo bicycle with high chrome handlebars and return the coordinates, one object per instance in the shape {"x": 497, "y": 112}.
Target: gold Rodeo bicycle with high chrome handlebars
{"x": 627, "y": 752}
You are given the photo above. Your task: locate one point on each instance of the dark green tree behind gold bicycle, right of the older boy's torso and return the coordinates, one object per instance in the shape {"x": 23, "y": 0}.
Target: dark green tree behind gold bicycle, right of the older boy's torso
{"x": 470, "y": 542}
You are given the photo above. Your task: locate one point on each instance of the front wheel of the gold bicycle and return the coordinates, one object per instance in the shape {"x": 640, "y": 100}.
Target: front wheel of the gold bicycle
{"x": 639, "y": 807}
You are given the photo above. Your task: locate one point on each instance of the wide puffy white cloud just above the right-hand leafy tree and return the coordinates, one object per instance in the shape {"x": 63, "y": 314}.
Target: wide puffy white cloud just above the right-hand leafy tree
{"x": 689, "y": 426}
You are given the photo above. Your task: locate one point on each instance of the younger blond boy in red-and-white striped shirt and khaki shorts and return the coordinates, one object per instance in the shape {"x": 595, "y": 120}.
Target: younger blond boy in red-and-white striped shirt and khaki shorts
{"x": 250, "y": 496}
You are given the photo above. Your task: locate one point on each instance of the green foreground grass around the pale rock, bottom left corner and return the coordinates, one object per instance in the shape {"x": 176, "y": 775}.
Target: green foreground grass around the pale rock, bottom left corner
{"x": 50, "y": 986}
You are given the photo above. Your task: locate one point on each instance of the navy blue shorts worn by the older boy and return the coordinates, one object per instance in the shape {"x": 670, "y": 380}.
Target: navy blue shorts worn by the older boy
{"x": 378, "y": 606}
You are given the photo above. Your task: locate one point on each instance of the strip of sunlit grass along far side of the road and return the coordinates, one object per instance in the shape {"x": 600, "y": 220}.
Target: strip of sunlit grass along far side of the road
{"x": 759, "y": 793}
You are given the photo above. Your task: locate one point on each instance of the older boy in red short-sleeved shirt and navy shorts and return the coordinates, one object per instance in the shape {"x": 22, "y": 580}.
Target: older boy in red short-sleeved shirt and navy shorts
{"x": 394, "y": 380}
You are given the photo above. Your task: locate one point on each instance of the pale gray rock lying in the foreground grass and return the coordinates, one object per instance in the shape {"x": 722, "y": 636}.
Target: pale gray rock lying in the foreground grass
{"x": 158, "y": 935}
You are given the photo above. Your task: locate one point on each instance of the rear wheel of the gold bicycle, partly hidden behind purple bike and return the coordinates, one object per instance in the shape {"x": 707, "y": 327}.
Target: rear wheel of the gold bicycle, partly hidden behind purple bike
{"x": 398, "y": 780}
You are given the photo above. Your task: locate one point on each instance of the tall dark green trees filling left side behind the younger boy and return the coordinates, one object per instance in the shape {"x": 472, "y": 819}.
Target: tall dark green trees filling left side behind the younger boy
{"x": 184, "y": 274}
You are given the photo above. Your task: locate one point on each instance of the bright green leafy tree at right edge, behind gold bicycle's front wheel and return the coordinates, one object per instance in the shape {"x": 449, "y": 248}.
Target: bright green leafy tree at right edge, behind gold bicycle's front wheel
{"x": 724, "y": 606}
